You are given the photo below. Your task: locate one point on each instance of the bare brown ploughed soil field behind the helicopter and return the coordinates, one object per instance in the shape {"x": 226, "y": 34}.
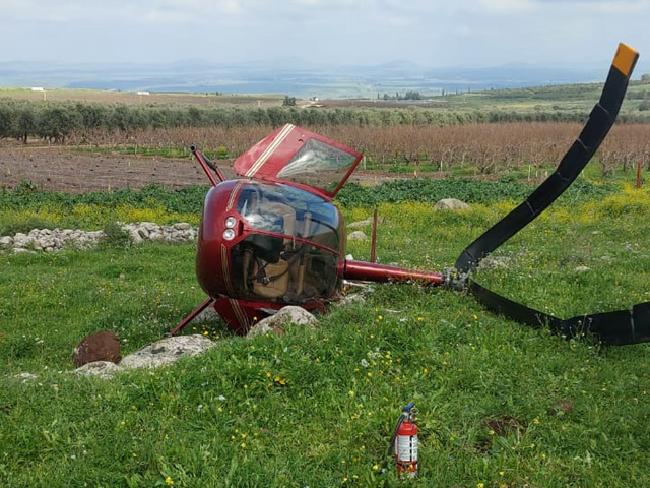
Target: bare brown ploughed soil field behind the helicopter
{"x": 64, "y": 169}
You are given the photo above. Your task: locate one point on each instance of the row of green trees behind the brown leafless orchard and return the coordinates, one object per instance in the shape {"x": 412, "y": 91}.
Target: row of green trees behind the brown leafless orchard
{"x": 56, "y": 121}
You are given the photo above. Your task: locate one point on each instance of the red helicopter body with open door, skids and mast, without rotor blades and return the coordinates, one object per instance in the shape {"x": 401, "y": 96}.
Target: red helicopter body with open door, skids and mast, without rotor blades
{"x": 274, "y": 238}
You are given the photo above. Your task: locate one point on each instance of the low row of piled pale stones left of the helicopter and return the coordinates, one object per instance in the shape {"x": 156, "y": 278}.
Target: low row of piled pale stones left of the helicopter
{"x": 49, "y": 240}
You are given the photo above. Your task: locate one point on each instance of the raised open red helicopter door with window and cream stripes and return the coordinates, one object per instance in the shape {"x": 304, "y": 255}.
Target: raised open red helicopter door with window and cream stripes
{"x": 298, "y": 157}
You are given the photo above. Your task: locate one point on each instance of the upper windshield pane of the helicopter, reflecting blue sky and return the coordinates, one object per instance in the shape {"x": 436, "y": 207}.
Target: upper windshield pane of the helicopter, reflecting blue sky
{"x": 286, "y": 210}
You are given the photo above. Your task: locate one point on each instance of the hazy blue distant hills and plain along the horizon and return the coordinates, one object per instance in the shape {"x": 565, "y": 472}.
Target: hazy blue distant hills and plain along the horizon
{"x": 301, "y": 80}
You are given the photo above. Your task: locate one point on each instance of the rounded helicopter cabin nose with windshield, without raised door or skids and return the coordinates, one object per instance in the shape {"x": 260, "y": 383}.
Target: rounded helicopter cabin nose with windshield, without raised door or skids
{"x": 286, "y": 245}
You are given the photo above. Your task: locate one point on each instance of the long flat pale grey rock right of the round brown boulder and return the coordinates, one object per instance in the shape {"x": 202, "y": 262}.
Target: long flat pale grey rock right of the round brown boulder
{"x": 167, "y": 351}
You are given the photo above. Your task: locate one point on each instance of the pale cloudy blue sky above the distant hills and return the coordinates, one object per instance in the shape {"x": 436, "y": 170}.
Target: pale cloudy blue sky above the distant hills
{"x": 433, "y": 33}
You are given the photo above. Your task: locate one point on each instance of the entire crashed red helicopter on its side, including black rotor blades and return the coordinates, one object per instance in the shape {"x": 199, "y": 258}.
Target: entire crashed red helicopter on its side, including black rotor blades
{"x": 274, "y": 238}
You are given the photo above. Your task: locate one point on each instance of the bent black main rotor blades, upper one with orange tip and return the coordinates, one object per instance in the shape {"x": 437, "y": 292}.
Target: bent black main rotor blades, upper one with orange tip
{"x": 614, "y": 328}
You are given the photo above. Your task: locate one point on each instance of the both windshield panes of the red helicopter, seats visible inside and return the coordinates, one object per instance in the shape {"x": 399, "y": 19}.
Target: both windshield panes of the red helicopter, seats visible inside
{"x": 292, "y": 245}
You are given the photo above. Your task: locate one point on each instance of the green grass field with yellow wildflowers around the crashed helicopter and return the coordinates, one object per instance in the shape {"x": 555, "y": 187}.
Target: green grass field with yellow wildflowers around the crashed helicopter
{"x": 500, "y": 404}
